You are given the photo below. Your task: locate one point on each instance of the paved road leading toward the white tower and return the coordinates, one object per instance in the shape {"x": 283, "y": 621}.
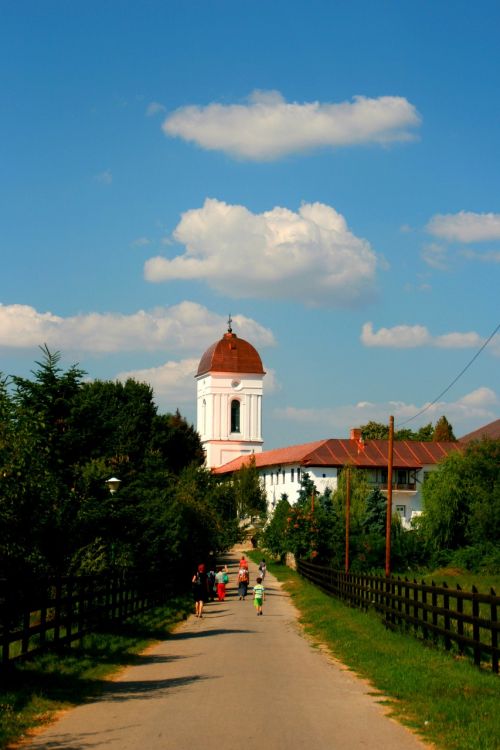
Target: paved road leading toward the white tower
{"x": 232, "y": 680}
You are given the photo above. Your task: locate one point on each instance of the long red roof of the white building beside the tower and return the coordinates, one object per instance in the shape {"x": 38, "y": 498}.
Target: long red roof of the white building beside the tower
{"x": 334, "y": 452}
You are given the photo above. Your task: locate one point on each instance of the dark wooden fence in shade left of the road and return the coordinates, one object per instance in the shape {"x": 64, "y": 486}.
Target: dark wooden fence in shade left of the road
{"x": 52, "y": 613}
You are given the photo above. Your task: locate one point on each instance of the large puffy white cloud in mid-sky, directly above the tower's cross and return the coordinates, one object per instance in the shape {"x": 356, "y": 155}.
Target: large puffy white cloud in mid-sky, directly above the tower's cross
{"x": 308, "y": 256}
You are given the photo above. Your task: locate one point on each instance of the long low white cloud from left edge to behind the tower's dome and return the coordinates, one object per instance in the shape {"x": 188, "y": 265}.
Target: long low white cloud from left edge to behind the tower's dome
{"x": 183, "y": 327}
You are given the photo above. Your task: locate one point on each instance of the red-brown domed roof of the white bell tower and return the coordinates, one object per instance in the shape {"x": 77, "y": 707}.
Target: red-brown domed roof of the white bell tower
{"x": 231, "y": 354}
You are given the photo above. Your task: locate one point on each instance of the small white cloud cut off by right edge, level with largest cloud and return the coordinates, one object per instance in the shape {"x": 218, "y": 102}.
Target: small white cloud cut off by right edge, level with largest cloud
{"x": 465, "y": 226}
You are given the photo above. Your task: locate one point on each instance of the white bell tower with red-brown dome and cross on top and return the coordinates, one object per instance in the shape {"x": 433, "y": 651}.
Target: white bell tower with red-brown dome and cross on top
{"x": 229, "y": 399}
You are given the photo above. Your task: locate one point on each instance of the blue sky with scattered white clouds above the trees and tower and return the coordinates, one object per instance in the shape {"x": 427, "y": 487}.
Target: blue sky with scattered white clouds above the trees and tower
{"x": 326, "y": 172}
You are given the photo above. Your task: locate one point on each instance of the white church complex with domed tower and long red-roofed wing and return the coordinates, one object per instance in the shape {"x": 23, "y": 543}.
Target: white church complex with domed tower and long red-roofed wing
{"x": 230, "y": 383}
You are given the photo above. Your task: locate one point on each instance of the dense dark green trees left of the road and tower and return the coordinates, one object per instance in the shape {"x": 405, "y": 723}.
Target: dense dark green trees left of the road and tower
{"x": 61, "y": 438}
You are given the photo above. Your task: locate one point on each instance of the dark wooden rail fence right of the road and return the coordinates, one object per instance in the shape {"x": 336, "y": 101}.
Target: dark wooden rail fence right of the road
{"x": 469, "y": 620}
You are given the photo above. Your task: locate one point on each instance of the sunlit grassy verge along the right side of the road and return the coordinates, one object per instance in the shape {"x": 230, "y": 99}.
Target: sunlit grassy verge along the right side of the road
{"x": 446, "y": 700}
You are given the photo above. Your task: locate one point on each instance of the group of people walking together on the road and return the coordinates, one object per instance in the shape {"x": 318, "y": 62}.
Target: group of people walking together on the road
{"x": 211, "y": 584}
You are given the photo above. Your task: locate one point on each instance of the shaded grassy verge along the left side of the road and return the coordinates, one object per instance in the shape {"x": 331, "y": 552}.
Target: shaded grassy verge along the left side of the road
{"x": 32, "y": 691}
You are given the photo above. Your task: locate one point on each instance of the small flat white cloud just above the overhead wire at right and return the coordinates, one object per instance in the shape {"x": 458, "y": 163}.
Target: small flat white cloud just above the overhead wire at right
{"x": 411, "y": 337}
